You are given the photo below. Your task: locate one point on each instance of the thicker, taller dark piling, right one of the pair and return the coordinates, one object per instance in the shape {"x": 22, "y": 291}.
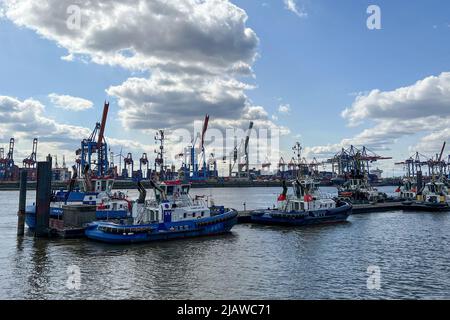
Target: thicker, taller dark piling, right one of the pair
{"x": 43, "y": 194}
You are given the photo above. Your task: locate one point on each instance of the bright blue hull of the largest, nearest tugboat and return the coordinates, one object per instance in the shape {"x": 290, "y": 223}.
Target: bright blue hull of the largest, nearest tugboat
{"x": 127, "y": 234}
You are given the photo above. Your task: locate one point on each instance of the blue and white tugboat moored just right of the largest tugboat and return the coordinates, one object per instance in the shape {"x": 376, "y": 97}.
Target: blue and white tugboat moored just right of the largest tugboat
{"x": 306, "y": 206}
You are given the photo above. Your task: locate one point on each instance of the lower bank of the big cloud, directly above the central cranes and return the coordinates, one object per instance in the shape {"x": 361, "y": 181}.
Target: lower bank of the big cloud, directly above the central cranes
{"x": 172, "y": 100}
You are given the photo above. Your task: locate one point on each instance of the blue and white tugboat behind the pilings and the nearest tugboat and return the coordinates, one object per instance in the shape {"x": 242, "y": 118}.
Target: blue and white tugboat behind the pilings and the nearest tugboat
{"x": 94, "y": 191}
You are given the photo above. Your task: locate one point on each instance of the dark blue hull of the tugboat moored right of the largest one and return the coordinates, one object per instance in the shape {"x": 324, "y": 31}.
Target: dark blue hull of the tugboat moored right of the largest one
{"x": 276, "y": 217}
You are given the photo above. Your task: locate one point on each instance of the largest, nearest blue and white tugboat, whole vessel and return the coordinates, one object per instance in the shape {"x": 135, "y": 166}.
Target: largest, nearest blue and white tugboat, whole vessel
{"x": 173, "y": 214}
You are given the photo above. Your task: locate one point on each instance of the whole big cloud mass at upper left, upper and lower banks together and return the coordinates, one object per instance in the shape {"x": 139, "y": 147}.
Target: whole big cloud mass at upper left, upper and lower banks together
{"x": 192, "y": 50}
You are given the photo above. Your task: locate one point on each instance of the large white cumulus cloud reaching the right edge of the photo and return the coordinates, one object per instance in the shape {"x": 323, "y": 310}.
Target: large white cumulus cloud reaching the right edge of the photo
{"x": 421, "y": 109}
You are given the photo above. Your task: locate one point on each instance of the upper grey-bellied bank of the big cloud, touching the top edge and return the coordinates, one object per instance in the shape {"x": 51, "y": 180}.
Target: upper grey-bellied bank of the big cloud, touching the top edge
{"x": 141, "y": 34}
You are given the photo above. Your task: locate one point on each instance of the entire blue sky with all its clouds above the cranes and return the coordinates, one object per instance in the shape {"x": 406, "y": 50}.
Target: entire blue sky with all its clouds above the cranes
{"x": 311, "y": 69}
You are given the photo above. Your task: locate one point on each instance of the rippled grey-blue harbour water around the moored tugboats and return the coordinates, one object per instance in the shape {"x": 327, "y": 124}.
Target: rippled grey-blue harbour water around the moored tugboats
{"x": 411, "y": 250}
